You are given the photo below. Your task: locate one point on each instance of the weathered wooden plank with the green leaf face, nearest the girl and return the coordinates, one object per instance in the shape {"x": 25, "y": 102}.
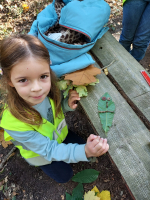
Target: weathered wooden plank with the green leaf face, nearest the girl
{"x": 128, "y": 137}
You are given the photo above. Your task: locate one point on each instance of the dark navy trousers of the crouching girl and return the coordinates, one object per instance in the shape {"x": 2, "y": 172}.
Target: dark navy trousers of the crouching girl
{"x": 60, "y": 171}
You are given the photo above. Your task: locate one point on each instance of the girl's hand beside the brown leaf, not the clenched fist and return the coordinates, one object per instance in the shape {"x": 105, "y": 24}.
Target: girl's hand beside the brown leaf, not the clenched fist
{"x": 73, "y": 98}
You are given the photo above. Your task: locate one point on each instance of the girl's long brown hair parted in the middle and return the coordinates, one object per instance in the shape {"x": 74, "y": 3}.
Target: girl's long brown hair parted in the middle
{"x": 13, "y": 50}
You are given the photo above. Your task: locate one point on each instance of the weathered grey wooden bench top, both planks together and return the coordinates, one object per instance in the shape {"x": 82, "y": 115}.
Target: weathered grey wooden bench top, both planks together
{"x": 129, "y": 138}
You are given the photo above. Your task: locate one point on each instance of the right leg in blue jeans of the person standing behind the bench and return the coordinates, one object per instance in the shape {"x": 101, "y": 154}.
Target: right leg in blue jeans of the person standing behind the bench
{"x": 142, "y": 35}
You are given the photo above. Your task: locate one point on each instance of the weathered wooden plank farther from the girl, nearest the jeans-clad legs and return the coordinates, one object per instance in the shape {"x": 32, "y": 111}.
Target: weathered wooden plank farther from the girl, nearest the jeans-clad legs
{"x": 125, "y": 70}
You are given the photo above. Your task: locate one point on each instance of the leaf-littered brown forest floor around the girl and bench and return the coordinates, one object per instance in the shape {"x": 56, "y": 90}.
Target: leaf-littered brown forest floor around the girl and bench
{"x": 20, "y": 181}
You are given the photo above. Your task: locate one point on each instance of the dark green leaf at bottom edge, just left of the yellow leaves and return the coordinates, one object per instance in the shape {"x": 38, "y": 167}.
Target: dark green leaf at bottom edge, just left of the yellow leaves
{"x": 78, "y": 192}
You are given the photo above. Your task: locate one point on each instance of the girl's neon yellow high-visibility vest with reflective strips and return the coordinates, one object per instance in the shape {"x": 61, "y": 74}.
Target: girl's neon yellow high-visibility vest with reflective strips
{"x": 47, "y": 129}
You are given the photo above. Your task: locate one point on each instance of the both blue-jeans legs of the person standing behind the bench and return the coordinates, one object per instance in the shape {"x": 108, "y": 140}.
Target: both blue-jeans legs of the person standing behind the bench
{"x": 136, "y": 27}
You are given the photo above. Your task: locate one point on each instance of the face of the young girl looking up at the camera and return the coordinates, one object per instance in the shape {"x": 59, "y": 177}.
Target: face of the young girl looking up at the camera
{"x": 31, "y": 79}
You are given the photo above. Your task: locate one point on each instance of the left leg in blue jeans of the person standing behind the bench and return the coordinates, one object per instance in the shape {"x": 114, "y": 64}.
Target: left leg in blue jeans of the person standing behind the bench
{"x": 132, "y": 12}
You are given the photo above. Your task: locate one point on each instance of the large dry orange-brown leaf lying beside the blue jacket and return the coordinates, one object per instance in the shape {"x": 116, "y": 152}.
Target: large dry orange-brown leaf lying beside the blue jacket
{"x": 83, "y": 76}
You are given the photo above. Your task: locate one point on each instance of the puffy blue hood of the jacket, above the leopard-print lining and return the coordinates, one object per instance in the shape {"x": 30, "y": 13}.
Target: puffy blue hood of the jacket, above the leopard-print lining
{"x": 88, "y": 16}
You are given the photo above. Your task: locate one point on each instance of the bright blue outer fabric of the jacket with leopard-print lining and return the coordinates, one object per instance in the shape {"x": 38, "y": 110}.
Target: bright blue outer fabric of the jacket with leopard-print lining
{"x": 95, "y": 16}
